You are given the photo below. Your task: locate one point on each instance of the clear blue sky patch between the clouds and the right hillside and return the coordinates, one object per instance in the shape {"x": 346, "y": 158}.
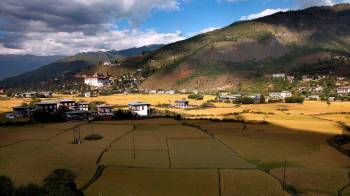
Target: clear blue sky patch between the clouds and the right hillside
{"x": 197, "y": 15}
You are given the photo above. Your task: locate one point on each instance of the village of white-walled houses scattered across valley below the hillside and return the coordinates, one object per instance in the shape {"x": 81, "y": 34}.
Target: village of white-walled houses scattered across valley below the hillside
{"x": 309, "y": 88}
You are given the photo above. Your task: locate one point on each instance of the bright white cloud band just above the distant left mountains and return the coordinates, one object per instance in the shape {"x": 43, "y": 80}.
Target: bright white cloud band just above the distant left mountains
{"x": 68, "y": 43}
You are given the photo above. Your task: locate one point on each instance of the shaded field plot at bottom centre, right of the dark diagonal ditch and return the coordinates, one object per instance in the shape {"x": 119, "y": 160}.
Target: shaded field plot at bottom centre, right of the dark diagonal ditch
{"x": 155, "y": 182}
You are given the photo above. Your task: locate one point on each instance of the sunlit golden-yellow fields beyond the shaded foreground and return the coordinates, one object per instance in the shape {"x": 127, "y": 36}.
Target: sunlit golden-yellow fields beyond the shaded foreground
{"x": 313, "y": 116}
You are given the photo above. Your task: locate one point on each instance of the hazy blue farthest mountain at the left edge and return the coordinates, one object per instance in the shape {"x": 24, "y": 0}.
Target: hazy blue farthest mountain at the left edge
{"x": 11, "y": 65}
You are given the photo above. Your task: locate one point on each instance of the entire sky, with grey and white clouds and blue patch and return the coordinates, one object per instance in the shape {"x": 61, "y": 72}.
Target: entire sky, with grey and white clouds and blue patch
{"x": 66, "y": 27}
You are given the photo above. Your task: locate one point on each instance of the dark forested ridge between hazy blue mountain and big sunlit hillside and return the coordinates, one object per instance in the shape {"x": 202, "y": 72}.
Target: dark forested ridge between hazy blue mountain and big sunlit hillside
{"x": 66, "y": 67}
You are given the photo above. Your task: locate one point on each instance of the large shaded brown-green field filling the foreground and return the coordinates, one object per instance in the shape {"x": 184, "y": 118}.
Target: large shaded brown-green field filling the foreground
{"x": 186, "y": 157}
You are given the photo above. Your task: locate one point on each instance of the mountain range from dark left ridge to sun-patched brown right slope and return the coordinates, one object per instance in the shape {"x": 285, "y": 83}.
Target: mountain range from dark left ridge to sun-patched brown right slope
{"x": 311, "y": 41}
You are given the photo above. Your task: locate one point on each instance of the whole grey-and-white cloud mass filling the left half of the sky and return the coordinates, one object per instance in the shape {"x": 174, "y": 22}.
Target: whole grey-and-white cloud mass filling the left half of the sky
{"x": 71, "y": 26}
